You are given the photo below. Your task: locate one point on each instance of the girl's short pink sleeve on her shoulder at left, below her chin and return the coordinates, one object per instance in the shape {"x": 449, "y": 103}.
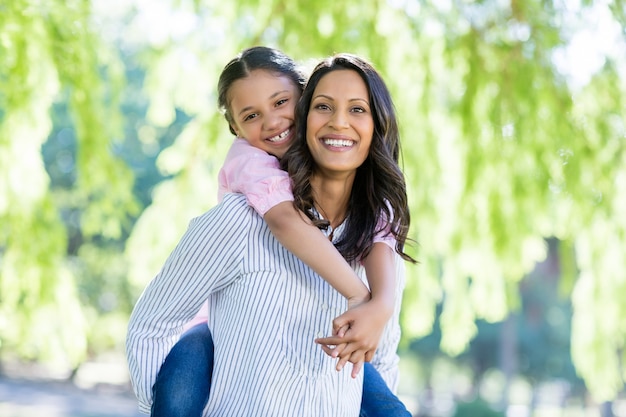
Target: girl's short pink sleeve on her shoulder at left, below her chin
{"x": 256, "y": 174}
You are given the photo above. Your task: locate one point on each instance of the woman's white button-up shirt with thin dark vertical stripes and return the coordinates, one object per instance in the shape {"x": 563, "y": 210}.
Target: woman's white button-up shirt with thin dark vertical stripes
{"x": 266, "y": 308}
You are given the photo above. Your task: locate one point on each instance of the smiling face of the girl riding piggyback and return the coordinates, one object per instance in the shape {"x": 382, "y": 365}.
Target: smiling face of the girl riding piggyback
{"x": 262, "y": 106}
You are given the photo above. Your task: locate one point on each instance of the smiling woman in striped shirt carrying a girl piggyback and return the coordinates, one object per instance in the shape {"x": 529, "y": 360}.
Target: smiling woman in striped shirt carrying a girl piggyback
{"x": 265, "y": 305}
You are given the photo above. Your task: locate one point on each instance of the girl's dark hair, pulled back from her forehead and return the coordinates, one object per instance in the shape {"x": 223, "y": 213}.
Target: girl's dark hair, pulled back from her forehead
{"x": 255, "y": 58}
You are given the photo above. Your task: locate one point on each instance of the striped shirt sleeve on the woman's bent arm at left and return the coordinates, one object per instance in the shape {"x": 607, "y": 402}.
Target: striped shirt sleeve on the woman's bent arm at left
{"x": 207, "y": 259}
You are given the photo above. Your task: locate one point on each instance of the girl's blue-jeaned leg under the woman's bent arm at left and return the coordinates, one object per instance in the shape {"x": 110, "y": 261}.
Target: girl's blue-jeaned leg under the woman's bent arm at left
{"x": 184, "y": 380}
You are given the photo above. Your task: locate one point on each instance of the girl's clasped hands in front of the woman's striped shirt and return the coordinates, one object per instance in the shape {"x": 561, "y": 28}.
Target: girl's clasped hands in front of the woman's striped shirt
{"x": 356, "y": 334}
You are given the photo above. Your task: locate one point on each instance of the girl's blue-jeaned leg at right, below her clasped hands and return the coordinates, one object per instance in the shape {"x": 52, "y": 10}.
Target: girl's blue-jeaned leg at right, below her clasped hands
{"x": 378, "y": 400}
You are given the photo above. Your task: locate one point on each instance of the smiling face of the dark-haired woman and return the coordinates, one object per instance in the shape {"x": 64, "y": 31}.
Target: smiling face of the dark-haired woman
{"x": 340, "y": 123}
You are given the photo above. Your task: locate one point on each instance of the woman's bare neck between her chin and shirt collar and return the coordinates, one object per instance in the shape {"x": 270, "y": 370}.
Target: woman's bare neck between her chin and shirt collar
{"x": 331, "y": 198}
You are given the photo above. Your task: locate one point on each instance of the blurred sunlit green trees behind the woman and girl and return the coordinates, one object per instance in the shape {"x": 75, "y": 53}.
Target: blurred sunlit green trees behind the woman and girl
{"x": 514, "y": 147}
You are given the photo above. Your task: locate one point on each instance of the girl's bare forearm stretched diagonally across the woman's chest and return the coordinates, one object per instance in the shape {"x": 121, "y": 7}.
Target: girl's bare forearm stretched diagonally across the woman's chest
{"x": 296, "y": 233}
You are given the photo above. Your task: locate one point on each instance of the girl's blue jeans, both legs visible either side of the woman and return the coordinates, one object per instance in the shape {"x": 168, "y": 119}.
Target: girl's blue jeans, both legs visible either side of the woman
{"x": 183, "y": 385}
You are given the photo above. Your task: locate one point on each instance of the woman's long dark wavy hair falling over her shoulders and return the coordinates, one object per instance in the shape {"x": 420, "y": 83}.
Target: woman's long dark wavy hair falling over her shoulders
{"x": 379, "y": 188}
